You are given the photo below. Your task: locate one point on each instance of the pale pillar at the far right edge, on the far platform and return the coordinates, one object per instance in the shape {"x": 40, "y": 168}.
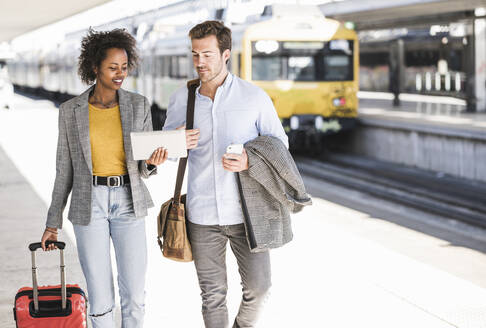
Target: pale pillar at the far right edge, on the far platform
{"x": 480, "y": 64}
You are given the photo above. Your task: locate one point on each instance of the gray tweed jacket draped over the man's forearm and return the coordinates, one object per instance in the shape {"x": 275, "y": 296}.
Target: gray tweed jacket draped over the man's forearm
{"x": 270, "y": 189}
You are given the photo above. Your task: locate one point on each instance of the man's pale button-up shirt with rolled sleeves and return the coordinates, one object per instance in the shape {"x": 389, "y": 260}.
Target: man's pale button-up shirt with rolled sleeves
{"x": 240, "y": 112}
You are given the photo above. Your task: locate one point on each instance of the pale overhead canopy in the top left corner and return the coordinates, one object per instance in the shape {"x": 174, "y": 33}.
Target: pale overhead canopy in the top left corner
{"x": 20, "y": 16}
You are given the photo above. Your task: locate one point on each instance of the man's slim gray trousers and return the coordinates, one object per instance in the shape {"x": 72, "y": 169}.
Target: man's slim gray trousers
{"x": 208, "y": 244}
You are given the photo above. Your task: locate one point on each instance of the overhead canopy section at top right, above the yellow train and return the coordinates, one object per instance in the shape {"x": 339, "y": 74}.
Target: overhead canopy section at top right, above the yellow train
{"x": 378, "y": 14}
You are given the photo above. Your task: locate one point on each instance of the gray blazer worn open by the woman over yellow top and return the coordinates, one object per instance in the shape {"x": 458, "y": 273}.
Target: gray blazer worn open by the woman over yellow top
{"x": 74, "y": 171}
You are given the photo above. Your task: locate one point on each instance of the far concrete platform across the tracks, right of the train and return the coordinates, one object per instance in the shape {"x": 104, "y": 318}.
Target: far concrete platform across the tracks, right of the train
{"x": 439, "y": 140}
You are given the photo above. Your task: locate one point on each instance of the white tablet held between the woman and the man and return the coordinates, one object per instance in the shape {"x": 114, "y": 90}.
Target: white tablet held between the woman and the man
{"x": 144, "y": 143}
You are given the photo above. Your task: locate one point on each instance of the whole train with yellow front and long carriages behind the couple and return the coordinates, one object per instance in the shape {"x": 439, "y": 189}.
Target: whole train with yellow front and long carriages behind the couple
{"x": 307, "y": 64}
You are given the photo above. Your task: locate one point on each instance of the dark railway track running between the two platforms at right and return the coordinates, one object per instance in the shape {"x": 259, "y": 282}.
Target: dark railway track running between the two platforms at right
{"x": 444, "y": 195}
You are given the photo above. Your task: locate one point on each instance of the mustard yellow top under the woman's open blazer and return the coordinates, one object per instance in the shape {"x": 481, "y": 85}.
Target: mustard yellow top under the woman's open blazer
{"x": 107, "y": 152}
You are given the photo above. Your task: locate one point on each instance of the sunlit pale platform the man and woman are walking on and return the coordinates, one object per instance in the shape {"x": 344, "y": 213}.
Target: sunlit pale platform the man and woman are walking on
{"x": 355, "y": 261}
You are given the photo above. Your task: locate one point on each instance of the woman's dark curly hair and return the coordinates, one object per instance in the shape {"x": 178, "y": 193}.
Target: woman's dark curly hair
{"x": 94, "y": 47}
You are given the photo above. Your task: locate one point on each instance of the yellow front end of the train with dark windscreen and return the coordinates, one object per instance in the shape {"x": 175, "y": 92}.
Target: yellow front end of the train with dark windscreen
{"x": 309, "y": 67}
